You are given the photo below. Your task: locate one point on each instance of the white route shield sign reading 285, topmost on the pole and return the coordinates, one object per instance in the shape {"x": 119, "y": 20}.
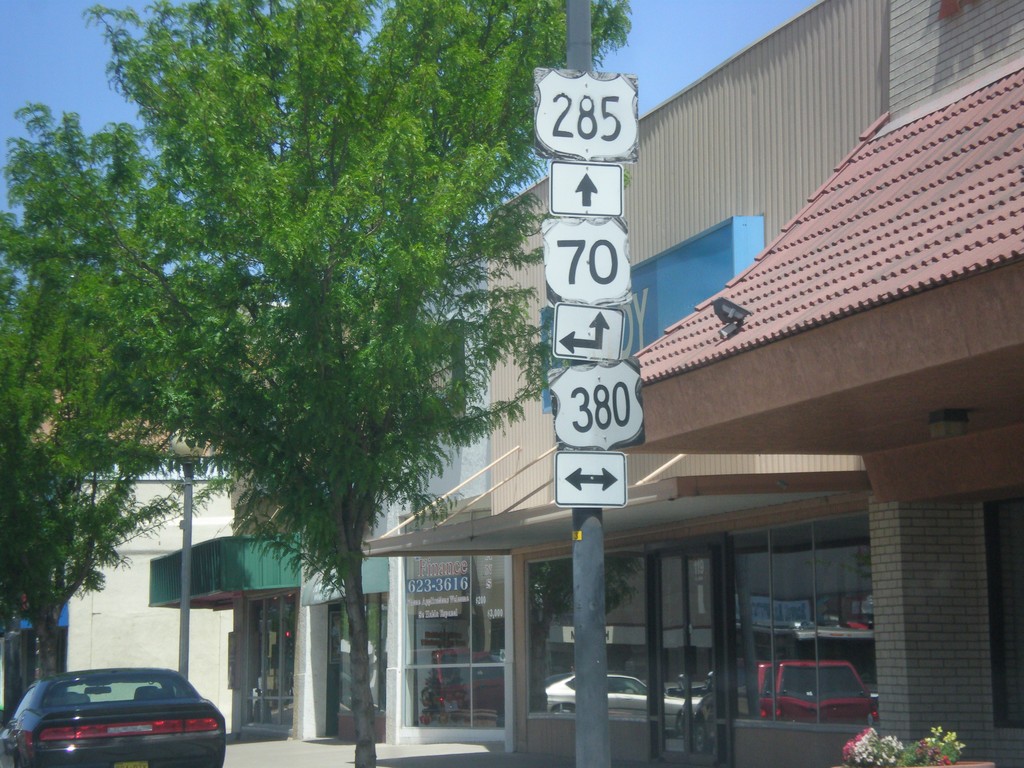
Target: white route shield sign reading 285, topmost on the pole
{"x": 586, "y": 116}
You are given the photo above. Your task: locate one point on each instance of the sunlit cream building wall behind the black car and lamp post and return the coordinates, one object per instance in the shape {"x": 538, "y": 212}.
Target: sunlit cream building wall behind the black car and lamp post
{"x": 117, "y": 627}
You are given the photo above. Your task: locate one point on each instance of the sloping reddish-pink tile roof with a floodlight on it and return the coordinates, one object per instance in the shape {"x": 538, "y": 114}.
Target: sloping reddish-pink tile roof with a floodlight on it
{"x": 910, "y": 210}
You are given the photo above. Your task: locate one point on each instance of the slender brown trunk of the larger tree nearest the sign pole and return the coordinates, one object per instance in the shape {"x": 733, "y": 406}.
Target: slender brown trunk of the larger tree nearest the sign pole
{"x": 364, "y": 712}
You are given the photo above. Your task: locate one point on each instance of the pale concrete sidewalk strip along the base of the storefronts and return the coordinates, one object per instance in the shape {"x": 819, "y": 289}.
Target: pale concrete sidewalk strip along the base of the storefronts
{"x": 330, "y": 754}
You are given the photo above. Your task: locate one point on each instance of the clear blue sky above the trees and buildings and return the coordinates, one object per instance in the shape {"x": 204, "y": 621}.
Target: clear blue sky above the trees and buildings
{"x": 50, "y": 56}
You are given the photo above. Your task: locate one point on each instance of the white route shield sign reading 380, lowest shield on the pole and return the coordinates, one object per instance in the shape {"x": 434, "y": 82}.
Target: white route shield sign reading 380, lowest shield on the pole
{"x": 599, "y": 406}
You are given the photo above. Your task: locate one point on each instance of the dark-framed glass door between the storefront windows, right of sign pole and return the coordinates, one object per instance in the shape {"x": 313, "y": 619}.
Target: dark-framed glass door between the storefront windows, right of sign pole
{"x": 688, "y": 656}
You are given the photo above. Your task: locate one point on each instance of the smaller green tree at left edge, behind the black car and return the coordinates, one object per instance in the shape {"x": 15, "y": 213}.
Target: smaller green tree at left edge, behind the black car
{"x": 70, "y": 455}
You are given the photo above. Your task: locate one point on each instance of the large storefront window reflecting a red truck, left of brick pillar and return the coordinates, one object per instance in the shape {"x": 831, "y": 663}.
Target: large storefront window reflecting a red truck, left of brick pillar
{"x": 805, "y": 624}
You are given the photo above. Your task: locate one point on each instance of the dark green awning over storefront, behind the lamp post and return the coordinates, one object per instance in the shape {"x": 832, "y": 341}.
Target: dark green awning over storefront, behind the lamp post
{"x": 223, "y": 570}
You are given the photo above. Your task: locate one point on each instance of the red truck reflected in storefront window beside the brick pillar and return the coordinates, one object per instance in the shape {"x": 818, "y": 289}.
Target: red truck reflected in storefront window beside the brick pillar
{"x": 827, "y": 692}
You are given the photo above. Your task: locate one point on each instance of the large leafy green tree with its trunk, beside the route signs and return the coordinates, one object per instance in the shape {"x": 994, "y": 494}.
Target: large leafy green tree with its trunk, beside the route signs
{"x": 332, "y": 243}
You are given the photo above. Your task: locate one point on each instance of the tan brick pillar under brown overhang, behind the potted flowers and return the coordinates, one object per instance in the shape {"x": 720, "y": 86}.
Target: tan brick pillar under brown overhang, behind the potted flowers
{"x": 932, "y": 628}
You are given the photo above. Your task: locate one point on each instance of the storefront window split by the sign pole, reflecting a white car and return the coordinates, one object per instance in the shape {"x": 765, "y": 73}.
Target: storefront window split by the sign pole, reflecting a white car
{"x": 551, "y": 634}
